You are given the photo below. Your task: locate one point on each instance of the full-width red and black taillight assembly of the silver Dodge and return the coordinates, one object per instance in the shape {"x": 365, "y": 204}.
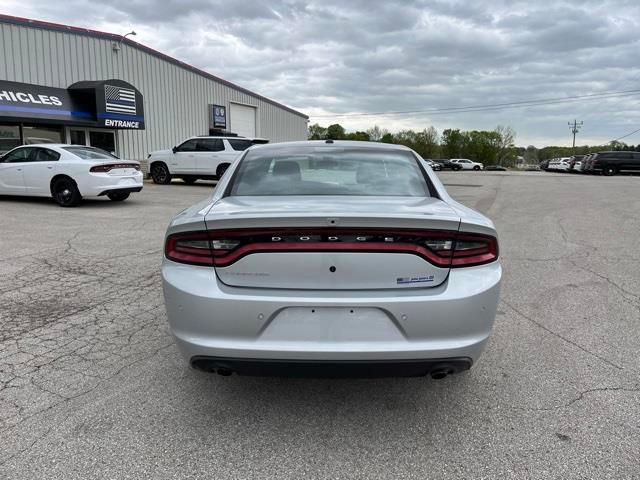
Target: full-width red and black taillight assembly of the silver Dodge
{"x": 221, "y": 248}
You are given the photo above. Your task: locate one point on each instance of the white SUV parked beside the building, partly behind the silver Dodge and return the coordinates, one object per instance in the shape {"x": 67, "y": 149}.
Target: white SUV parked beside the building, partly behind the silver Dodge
{"x": 197, "y": 158}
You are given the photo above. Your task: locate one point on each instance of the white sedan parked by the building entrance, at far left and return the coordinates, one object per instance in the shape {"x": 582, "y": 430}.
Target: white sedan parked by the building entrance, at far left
{"x": 67, "y": 173}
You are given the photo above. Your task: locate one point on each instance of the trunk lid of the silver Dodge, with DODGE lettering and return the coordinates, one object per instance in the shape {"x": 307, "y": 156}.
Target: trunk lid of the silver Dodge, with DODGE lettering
{"x": 332, "y": 243}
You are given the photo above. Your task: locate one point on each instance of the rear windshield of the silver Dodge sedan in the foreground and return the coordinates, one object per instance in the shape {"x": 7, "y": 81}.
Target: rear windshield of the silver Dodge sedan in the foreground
{"x": 329, "y": 171}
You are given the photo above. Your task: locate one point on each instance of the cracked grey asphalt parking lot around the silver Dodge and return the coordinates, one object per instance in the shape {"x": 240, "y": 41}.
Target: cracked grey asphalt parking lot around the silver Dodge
{"x": 92, "y": 385}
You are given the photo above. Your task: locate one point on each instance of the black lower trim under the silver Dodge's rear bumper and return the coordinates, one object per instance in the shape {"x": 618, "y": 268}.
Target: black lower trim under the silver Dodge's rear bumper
{"x": 331, "y": 368}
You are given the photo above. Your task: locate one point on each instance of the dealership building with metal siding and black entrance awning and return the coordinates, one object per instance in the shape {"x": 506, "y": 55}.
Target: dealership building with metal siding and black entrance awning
{"x": 66, "y": 84}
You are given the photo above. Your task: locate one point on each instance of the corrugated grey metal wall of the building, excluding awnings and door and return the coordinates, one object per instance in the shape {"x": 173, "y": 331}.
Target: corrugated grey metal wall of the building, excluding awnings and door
{"x": 175, "y": 99}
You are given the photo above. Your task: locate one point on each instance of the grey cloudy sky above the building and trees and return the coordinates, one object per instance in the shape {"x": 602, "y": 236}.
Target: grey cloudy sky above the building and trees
{"x": 329, "y": 57}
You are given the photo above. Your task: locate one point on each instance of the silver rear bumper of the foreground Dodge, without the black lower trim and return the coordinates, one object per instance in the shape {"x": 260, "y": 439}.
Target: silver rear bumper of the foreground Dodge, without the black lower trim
{"x": 210, "y": 319}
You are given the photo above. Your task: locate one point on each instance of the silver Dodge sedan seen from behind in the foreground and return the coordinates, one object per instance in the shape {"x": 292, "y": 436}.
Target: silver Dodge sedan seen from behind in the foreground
{"x": 341, "y": 258}
